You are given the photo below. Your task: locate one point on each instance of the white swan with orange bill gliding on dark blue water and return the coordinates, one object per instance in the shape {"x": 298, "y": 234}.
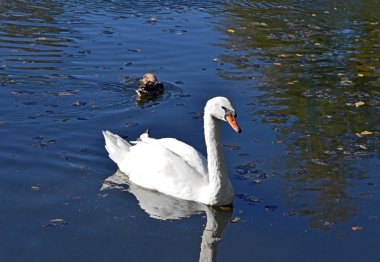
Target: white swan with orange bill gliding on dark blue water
{"x": 175, "y": 168}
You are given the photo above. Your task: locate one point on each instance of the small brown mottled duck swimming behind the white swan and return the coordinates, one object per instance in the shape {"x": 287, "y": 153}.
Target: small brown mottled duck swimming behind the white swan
{"x": 149, "y": 86}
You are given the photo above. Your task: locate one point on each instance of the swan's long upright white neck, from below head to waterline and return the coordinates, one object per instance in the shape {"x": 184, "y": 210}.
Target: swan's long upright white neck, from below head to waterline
{"x": 220, "y": 188}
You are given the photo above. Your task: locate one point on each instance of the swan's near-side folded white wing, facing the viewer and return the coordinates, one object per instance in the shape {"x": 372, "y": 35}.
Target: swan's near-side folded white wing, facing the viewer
{"x": 153, "y": 166}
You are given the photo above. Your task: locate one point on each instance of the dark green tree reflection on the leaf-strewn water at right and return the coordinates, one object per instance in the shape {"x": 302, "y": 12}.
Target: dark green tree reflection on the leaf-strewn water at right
{"x": 318, "y": 67}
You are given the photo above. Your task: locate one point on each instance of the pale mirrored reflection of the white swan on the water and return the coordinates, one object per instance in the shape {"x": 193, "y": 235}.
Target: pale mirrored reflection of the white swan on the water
{"x": 164, "y": 207}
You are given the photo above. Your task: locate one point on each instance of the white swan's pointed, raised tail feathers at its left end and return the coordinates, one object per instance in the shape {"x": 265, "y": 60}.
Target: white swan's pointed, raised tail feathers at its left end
{"x": 115, "y": 146}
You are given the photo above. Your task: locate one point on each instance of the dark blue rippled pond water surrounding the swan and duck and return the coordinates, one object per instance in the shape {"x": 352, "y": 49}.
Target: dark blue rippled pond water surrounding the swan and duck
{"x": 304, "y": 77}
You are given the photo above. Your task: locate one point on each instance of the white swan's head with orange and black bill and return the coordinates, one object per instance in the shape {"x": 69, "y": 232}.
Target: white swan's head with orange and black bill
{"x": 222, "y": 109}
